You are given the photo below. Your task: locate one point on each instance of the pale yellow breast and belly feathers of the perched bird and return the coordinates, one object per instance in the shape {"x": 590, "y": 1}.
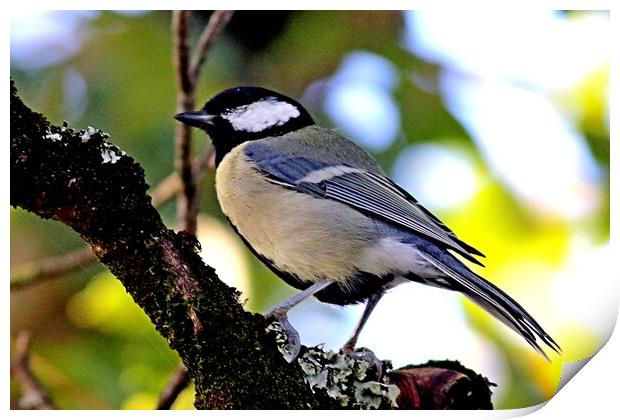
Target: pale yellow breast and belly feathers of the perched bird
{"x": 311, "y": 237}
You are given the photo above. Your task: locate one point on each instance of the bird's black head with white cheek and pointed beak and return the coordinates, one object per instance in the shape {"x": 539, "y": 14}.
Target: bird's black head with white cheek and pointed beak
{"x": 244, "y": 113}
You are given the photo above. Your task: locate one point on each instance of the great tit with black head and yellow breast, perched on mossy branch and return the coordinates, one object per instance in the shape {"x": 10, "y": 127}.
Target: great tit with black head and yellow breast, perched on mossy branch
{"x": 318, "y": 210}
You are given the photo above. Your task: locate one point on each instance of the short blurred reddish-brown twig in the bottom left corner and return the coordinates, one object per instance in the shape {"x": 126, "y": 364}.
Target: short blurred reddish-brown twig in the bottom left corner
{"x": 34, "y": 395}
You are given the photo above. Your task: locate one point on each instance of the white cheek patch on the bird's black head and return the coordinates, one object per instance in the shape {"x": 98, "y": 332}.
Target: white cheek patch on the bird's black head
{"x": 261, "y": 115}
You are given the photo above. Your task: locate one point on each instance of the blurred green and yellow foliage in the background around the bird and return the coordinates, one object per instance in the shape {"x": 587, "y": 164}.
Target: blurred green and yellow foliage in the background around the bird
{"x": 95, "y": 349}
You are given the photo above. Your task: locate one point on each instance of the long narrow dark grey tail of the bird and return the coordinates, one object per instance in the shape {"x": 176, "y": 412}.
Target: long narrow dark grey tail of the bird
{"x": 495, "y": 302}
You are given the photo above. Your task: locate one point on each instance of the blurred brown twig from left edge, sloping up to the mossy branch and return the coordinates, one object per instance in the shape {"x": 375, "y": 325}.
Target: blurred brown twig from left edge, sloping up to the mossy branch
{"x": 53, "y": 267}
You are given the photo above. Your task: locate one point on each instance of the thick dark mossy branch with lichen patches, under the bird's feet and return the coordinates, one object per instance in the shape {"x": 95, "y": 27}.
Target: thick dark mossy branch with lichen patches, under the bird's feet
{"x": 89, "y": 184}
